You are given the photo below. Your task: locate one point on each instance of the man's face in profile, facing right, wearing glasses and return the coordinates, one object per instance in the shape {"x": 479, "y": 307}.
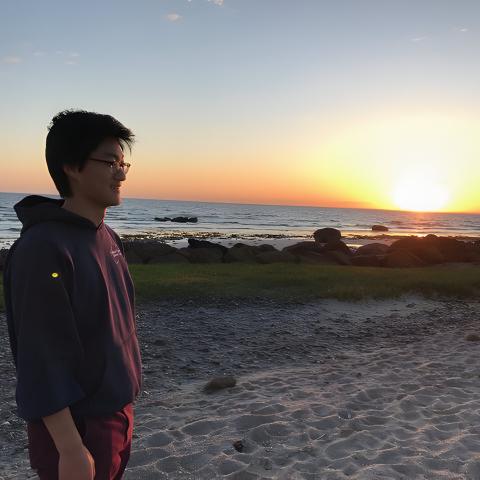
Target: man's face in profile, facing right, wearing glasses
{"x": 98, "y": 182}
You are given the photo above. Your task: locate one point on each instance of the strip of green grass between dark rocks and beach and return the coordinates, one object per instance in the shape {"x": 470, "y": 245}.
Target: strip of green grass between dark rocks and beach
{"x": 297, "y": 282}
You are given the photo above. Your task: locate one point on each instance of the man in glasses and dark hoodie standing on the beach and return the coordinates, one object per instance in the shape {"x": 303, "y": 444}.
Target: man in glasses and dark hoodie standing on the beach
{"x": 71, "y": 310}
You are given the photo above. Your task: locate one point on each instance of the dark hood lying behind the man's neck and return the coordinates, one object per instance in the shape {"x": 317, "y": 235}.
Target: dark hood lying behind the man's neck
{"x": 35, "y": 209}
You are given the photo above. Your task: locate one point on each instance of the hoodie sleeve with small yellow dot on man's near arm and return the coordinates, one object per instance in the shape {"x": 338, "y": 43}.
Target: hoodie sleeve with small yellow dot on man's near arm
{"x": 48, "y": 350}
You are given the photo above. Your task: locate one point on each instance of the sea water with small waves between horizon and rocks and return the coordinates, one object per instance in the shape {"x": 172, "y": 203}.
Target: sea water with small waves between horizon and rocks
{"x": 242, "y": 222}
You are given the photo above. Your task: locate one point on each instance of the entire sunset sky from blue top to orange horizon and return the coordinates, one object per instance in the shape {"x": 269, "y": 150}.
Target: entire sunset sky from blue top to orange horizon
{"x": 348, "y": 103}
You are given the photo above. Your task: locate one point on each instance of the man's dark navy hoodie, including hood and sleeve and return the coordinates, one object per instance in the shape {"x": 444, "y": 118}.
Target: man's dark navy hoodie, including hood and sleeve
{"x": 70, "y": 309}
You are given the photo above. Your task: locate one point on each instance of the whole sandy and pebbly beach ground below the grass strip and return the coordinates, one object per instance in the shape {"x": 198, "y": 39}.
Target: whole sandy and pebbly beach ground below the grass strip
{"x": 325, "y": 390}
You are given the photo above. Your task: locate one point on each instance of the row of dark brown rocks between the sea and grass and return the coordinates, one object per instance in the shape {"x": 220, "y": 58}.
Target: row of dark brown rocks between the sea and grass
{"x": 326, "y": 248}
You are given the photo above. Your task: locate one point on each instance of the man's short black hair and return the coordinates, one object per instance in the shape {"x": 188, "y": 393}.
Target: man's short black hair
{"x": 73, "y": 135}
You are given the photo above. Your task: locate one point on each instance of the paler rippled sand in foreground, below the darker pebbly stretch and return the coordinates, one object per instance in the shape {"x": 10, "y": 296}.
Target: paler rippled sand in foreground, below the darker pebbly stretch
{"x": 409, "y": 411}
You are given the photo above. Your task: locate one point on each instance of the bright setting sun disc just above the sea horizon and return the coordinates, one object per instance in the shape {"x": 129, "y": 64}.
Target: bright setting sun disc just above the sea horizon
{"x": 420, "y": 195}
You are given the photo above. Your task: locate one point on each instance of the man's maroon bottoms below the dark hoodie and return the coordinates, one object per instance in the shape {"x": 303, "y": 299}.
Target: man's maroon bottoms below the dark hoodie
{"x": 107, "y": 438}
